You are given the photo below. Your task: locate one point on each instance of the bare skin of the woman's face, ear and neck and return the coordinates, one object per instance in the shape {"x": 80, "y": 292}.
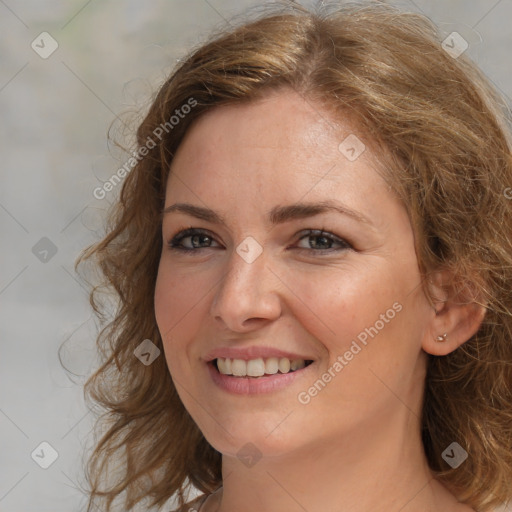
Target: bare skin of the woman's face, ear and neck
{"x": 356, "y": 445}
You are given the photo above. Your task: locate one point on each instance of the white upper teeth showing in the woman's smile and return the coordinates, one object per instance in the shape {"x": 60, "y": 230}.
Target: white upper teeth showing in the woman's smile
{"x": 258, "y": 367}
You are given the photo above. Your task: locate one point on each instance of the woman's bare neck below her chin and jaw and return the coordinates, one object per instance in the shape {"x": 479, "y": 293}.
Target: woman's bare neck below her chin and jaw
{"x": 377, "y": 469}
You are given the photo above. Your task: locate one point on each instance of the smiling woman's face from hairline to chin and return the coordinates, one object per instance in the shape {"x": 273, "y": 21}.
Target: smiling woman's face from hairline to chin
{"x": 262, "y": 287}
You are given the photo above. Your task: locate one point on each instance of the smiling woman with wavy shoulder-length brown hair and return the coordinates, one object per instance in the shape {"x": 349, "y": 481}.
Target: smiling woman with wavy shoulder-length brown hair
{"x": 317, "y": 237}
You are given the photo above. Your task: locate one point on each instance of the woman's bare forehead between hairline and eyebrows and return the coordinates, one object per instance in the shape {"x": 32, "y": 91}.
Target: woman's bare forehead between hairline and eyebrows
{"x": 277, "y": 150}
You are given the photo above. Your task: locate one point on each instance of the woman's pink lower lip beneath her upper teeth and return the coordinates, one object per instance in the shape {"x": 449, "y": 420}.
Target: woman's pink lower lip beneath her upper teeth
{"x": 258, "y": 385}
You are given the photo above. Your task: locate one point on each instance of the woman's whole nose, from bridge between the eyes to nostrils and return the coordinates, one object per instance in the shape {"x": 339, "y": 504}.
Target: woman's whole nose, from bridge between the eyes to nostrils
{"x": 245, "y": 290}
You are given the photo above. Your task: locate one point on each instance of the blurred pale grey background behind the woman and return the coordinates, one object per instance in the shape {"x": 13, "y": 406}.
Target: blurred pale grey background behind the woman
{"x": 68, "y": 69}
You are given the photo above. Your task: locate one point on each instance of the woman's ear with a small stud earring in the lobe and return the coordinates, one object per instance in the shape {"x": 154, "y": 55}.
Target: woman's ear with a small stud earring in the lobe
{"x": 458, "y": 313}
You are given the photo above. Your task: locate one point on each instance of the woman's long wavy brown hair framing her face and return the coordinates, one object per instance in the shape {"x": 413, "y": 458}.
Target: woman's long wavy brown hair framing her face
{"x": 443, "y": 138}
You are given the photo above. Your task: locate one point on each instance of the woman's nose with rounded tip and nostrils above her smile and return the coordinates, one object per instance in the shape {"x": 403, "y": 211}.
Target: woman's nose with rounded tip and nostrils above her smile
{"x": 247, "y": 297}
